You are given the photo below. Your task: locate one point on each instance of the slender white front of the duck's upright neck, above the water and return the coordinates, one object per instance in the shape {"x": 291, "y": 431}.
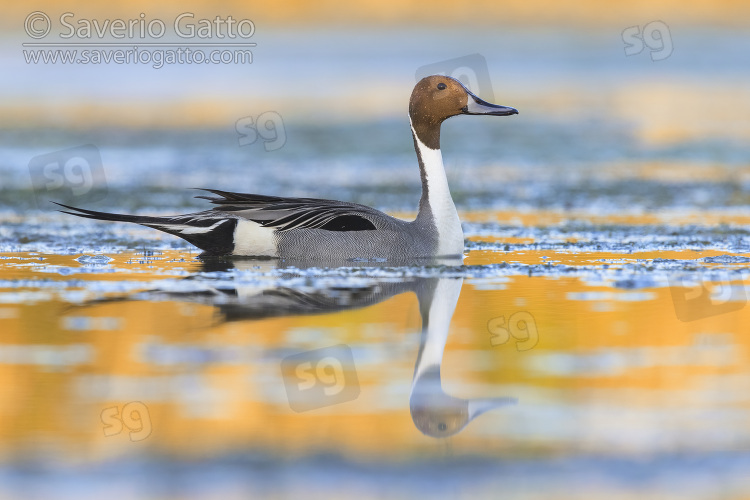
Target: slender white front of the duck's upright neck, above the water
{"x": 450, "y": 234}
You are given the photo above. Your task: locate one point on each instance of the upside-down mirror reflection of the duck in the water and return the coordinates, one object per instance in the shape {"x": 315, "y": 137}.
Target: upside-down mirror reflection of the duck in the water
{"x": 434, "y": 412}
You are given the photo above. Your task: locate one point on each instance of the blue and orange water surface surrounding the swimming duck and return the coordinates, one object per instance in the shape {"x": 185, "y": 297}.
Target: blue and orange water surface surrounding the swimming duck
{"x": 594, "y": 340}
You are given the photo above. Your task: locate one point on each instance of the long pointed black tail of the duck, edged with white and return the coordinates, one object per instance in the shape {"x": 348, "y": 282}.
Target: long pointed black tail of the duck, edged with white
{"x": 210, "y": 231}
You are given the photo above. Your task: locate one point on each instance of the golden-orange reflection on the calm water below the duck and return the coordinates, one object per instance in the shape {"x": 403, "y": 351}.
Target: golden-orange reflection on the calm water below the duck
{"x": 588, "y": 365}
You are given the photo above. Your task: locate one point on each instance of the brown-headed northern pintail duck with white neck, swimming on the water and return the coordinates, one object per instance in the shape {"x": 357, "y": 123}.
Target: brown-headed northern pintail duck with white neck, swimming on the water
{"x": 253, "y": 225}
